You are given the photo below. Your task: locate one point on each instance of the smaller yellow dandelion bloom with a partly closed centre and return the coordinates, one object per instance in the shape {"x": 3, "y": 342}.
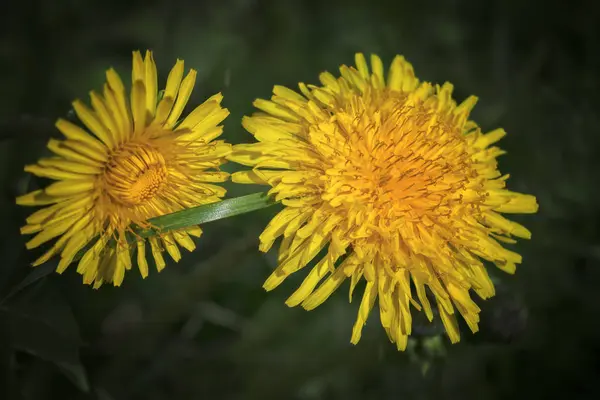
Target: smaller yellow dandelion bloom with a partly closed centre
{"x": 138, "y": 162}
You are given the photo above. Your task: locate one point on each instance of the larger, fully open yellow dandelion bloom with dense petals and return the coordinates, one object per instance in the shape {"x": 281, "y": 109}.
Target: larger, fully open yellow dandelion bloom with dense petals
{"x": 395, "y": 182}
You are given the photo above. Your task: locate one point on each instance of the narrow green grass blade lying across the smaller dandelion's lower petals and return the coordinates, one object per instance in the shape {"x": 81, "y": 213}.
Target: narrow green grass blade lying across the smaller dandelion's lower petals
{"x": 208, "y": 213}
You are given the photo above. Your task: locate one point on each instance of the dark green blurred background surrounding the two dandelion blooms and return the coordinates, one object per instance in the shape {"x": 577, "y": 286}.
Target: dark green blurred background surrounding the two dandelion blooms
{"x": 204, "y": 328}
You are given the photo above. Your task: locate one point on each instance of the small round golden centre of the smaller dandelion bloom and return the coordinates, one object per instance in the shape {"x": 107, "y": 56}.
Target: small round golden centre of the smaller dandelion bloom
{"x": 135, "y": 174}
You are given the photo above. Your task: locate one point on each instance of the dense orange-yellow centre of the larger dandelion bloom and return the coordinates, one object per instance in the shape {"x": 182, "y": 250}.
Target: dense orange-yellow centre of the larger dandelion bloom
{"x": 401, "y": 160}
